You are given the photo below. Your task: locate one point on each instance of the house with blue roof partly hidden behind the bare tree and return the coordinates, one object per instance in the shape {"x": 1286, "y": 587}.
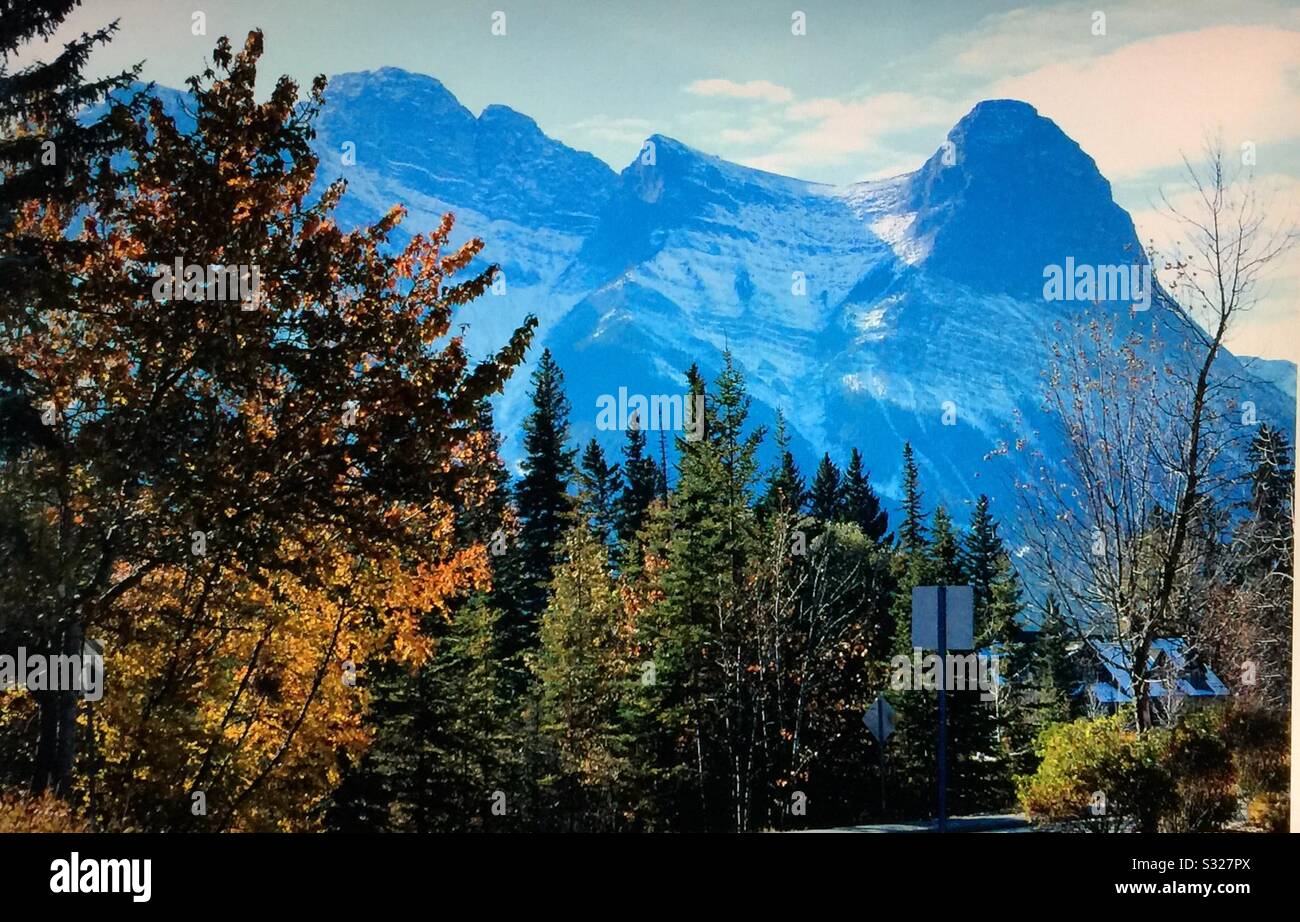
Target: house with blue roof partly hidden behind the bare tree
{"x": 1177, "y": 676}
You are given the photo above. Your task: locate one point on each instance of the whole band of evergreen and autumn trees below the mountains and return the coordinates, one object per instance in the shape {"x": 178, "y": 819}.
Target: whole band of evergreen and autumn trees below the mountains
{"x": 324, "y": 603}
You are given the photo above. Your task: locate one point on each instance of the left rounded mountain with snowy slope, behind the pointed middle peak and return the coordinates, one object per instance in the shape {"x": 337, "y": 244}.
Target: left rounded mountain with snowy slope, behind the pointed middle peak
{"x": 404, "y": 138}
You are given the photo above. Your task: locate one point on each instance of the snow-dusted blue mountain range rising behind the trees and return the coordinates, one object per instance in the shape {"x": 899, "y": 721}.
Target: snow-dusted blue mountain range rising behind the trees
{"x": 909, "y": 309}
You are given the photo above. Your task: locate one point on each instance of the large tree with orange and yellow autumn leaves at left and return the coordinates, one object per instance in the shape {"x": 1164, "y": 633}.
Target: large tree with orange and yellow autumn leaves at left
{"x": 245, "y": 503}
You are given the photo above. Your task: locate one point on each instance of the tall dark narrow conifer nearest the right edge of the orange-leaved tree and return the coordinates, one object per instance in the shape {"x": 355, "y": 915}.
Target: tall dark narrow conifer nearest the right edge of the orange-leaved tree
{"x": 543, "y": 503}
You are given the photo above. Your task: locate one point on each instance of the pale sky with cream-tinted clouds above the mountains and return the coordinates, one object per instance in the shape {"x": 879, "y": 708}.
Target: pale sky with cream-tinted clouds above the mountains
{"x": 825, "y": 90}
